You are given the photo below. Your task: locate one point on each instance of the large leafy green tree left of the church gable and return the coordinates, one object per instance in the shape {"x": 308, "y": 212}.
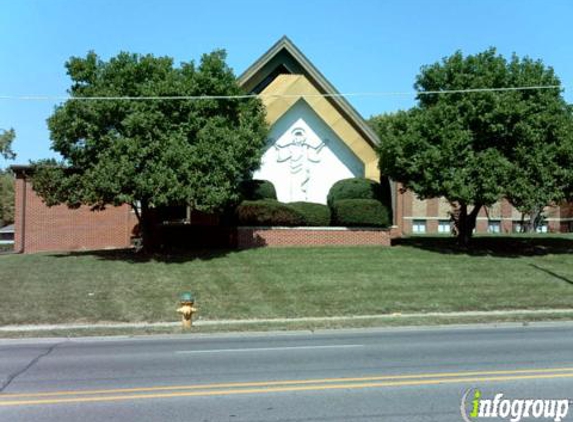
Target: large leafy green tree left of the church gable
{"x": 151, "y": 152}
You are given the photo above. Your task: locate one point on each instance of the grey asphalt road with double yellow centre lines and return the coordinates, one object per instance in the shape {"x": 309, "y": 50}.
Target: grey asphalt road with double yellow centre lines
{"x": 375, "y": 375}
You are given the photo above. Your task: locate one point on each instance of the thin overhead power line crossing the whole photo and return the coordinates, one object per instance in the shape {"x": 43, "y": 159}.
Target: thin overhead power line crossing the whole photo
{"x": 246, "y": 96}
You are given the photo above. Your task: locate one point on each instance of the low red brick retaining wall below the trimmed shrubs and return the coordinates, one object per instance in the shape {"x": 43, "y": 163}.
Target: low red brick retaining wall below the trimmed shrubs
{"x": 253, "y": 237}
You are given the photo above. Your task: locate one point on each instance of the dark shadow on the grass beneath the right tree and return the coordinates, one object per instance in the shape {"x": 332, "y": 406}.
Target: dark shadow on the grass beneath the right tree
{"x": 500, "y": 246}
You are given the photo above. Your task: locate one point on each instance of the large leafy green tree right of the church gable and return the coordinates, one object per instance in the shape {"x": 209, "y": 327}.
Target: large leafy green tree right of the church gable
{"x": 475, "y": 147}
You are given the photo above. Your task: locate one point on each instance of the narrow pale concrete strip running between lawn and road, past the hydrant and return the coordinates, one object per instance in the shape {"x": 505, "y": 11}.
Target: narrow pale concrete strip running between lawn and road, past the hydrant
{"x": 231, "y": 322}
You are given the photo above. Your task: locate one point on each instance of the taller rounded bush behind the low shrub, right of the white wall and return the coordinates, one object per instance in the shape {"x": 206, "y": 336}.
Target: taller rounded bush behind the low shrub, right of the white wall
{"x": 359, "y": 188}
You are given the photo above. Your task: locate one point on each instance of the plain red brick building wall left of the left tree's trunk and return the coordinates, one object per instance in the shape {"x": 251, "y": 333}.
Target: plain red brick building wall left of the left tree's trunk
{"x": 39, "y": 228}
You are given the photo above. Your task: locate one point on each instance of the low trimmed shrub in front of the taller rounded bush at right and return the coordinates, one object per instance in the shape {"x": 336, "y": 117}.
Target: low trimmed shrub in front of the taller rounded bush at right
{"x": 360, "y": 212}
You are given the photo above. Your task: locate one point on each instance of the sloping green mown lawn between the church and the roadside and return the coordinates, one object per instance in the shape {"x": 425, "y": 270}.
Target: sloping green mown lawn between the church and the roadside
{"x": 421, "y": 274}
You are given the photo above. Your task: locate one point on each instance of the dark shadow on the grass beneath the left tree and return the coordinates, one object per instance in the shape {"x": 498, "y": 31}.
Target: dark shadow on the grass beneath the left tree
{"x": 174, "y": 256}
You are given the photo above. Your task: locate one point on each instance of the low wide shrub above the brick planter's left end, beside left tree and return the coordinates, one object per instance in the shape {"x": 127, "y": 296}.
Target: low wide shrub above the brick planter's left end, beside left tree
{"x": 267, "y": 212}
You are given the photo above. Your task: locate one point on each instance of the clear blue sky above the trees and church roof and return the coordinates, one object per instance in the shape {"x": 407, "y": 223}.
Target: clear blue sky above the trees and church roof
{"x": 359, "y": 45}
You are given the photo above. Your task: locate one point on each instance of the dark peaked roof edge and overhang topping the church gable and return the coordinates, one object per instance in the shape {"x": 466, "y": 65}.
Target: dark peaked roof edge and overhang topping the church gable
{"x": 284, "y": 57}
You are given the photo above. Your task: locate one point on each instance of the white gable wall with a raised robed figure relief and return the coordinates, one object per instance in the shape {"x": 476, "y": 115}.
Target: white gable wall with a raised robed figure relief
{"x": 304, "y": 157}
